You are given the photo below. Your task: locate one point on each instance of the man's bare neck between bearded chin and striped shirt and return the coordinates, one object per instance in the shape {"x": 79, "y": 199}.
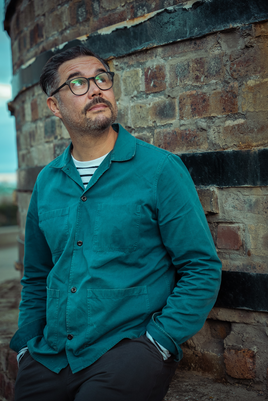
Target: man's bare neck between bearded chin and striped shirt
{"x": 87, "y": 147}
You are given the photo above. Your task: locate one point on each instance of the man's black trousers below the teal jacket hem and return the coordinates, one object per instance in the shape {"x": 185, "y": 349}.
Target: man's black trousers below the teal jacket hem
{"x": 133, "y": 370}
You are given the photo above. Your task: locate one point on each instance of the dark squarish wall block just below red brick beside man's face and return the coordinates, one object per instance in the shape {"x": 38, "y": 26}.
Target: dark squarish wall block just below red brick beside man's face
{"x": 163, "y": 111}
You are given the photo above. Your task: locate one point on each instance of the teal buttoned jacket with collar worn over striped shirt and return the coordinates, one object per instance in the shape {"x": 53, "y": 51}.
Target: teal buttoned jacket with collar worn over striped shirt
{"x": 131, "y": 252}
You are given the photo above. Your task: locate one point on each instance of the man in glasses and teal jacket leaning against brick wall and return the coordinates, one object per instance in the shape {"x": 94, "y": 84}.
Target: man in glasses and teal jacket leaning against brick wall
{"x": 120, "y": 267}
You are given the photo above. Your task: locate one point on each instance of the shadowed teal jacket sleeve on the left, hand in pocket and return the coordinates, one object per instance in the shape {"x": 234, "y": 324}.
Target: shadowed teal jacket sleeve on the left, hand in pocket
{"x": 37, "y": 265}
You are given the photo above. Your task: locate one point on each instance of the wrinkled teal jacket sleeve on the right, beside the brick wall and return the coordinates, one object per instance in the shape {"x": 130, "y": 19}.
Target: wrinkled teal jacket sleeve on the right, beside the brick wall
{"x": 187, "y": 238}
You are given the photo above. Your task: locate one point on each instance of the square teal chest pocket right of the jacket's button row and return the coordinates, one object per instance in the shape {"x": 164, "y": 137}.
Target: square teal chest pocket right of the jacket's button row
{"x": 117, "y": 228}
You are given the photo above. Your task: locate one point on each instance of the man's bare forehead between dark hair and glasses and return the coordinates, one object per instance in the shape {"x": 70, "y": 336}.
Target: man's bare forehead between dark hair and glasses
{"x": 86, "y": 65}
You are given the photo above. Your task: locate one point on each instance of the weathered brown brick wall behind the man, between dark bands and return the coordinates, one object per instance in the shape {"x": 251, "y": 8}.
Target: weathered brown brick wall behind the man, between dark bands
{"x": 207, "y": 94}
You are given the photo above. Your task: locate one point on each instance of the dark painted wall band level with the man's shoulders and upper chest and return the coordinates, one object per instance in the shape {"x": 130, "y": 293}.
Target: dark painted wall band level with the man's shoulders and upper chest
{"x": 222, "y": 169}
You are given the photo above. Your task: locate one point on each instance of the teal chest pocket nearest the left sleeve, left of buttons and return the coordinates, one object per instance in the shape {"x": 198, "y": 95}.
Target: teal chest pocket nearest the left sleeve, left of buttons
{"x": 55, "y": 226}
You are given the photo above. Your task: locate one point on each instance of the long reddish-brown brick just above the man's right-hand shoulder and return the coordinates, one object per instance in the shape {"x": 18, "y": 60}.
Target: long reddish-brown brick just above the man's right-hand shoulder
{"x": 177, "y": 140}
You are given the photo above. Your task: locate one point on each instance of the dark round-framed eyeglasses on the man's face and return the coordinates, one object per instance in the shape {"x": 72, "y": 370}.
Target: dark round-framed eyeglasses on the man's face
{"x": 80, "y": 85}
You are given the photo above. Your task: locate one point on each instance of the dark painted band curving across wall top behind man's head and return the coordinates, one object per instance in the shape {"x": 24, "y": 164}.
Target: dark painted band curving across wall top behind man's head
{"x": 170, "y": 25}
